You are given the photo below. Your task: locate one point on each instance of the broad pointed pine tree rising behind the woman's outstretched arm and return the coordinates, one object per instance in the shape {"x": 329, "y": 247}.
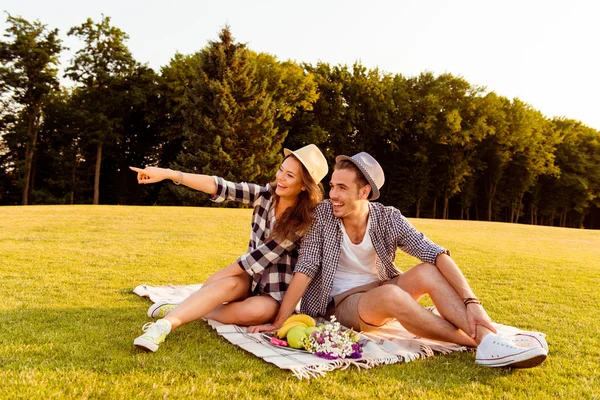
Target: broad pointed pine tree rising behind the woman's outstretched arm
{"x": 229, "y": 127}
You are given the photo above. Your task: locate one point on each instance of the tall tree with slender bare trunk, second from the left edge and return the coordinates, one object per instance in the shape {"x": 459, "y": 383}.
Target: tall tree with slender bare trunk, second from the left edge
{"x": 98, "y": 67}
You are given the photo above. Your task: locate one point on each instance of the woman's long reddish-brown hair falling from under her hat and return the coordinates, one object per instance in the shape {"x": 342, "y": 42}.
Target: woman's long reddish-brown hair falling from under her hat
{"x": 297, "y": 219}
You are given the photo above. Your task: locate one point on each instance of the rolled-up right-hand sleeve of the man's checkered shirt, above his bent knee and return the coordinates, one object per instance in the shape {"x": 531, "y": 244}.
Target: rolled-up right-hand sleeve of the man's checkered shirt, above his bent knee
{"x": 415, "y": 243}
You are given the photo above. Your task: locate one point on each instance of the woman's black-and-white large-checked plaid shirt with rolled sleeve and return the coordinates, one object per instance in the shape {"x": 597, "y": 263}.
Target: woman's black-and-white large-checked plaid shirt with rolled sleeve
{"x": 269, "y": 262}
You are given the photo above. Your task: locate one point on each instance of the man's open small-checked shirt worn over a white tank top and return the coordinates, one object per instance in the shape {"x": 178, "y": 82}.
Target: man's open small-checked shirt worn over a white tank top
{"x": 321, "y": 246}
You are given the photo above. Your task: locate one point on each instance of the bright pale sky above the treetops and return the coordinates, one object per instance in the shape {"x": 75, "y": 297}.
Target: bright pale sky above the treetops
{"x": 544, "y": 52}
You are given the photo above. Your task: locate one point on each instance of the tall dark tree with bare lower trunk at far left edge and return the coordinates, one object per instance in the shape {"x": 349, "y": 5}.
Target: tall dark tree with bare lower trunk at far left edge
{"x": 27, "y": 75}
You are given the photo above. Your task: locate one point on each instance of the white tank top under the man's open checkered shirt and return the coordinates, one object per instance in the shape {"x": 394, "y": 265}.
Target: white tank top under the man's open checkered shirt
{"x": 357, "y": 263}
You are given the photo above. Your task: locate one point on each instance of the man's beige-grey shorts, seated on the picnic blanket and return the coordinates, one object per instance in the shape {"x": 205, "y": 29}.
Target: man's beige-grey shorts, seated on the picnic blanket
{"x": 345, "y": 306}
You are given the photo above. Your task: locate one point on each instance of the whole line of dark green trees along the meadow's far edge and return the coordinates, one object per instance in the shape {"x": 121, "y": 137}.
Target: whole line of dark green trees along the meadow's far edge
{"x": 450, "y": 149}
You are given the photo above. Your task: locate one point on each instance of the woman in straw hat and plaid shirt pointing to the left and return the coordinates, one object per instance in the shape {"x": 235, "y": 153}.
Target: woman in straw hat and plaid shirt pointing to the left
{"x": 254, "y": 285}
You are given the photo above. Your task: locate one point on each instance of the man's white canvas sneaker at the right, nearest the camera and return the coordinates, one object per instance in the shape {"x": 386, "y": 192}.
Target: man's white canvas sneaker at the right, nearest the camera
{"x": 498, "y": 351}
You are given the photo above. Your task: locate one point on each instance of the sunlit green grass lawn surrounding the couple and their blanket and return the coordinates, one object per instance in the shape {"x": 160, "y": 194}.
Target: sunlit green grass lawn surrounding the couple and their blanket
{"x": 68, "y": 316}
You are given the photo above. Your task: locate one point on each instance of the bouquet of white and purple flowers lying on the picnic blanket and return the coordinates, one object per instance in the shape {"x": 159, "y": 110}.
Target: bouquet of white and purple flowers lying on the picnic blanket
{"x": 330, "y": 341}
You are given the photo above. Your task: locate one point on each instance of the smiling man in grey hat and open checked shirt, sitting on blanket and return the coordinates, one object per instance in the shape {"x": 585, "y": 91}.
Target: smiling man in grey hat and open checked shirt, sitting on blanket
{"x": 346, "y": 268}
